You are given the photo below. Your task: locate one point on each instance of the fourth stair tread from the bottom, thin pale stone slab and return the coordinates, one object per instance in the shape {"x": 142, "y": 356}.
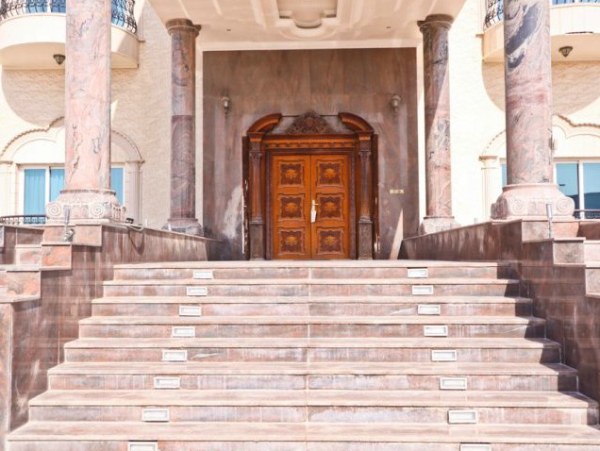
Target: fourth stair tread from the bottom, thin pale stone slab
{"x": 420, "y": 342}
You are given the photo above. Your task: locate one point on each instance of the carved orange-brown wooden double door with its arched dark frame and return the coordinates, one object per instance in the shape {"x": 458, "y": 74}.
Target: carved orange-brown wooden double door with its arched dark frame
{"x": 310, "y": 187}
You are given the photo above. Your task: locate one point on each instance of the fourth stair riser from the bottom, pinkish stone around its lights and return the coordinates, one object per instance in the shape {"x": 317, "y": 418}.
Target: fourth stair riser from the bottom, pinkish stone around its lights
{"x": 301, "y": 354}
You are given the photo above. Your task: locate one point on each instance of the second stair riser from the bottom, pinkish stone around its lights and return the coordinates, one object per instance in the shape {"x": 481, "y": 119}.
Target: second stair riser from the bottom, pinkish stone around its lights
{"x": 300, "y": 413}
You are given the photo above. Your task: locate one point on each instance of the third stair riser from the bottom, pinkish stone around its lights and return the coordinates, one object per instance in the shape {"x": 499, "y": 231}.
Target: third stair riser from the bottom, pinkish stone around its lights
{"x": 317, "y": 382}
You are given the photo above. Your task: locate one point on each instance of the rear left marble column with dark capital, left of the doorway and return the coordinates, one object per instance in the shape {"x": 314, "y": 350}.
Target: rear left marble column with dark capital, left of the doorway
{"x": 183, "y": 130}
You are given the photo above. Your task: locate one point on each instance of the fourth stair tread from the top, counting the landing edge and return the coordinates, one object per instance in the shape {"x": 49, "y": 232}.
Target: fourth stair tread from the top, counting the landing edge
{"x": 331, "y": 319}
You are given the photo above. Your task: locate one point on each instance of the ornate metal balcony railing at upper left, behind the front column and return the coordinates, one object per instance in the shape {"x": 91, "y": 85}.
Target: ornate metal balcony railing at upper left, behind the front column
{"x": 122, "y": 10}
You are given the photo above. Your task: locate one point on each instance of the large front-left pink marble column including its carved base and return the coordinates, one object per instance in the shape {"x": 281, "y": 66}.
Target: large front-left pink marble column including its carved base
{"x": 87, "y": 197}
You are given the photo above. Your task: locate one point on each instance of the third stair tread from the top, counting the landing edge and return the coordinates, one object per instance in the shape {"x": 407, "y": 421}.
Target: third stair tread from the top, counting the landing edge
{"x": 479, "y": 299}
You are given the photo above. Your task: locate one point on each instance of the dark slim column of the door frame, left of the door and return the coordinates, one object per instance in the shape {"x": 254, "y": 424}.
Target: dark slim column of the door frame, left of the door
{"x": 257, "y": 222}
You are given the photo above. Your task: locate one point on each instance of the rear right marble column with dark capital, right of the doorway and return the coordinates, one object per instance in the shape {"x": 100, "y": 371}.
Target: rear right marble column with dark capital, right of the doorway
{"x": 439, "y": 217}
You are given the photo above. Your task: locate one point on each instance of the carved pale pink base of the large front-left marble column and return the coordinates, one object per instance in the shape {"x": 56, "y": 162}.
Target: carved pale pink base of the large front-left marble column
{"x": 85, "y": 207}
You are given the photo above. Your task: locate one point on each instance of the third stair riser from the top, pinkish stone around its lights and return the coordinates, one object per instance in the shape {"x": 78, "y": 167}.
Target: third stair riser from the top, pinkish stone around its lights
{"x": 305, "y": 309}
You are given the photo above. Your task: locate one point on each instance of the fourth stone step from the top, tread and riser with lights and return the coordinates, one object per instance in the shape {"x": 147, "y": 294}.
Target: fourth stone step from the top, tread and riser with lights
{"x": 310, "y": 326}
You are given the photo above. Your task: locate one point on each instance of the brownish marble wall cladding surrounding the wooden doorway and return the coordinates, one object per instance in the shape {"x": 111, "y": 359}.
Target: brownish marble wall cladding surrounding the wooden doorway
{"x": 359, "y": 81}
